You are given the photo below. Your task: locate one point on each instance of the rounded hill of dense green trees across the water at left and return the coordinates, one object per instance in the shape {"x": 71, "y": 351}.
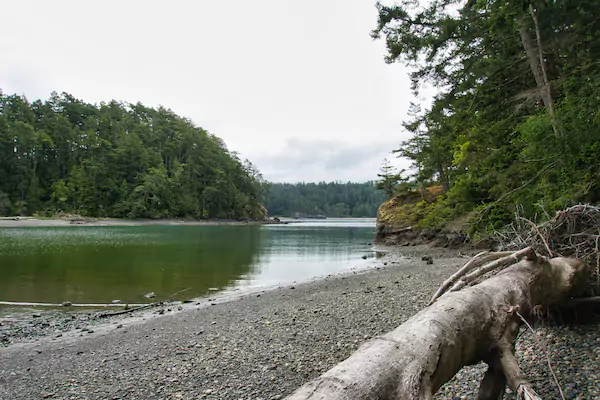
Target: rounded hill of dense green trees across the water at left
{"x": 117, "y": 160}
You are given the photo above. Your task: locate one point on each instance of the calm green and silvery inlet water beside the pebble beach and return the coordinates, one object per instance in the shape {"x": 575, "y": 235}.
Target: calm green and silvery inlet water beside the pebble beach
{"x": 102, "y": 264}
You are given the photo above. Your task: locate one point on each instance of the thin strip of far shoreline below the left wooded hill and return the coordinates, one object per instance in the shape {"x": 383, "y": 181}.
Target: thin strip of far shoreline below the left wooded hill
{"x": 30, "y": 222}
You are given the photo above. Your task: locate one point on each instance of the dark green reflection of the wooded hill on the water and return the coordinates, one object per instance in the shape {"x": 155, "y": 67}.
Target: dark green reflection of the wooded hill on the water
{"x": 101, "y": 264}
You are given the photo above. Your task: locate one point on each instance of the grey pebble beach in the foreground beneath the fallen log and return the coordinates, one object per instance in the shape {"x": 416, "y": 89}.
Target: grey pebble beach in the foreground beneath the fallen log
{"x": 264, "y": 345}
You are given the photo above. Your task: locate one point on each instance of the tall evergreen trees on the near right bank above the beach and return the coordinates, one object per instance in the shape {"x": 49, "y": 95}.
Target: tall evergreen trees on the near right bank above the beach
{"x": 516, "y": 122}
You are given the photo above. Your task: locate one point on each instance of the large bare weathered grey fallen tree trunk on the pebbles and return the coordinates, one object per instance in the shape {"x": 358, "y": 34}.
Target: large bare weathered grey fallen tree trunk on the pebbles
{"x": 461, "y": 328}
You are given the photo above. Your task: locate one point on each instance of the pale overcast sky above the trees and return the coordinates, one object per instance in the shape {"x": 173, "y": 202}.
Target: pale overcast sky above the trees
{"x": 297, "y": 87}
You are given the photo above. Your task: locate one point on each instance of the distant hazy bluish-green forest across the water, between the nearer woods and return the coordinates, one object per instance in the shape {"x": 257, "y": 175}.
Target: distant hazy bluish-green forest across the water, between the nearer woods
{"x": 333, "y": 199}
